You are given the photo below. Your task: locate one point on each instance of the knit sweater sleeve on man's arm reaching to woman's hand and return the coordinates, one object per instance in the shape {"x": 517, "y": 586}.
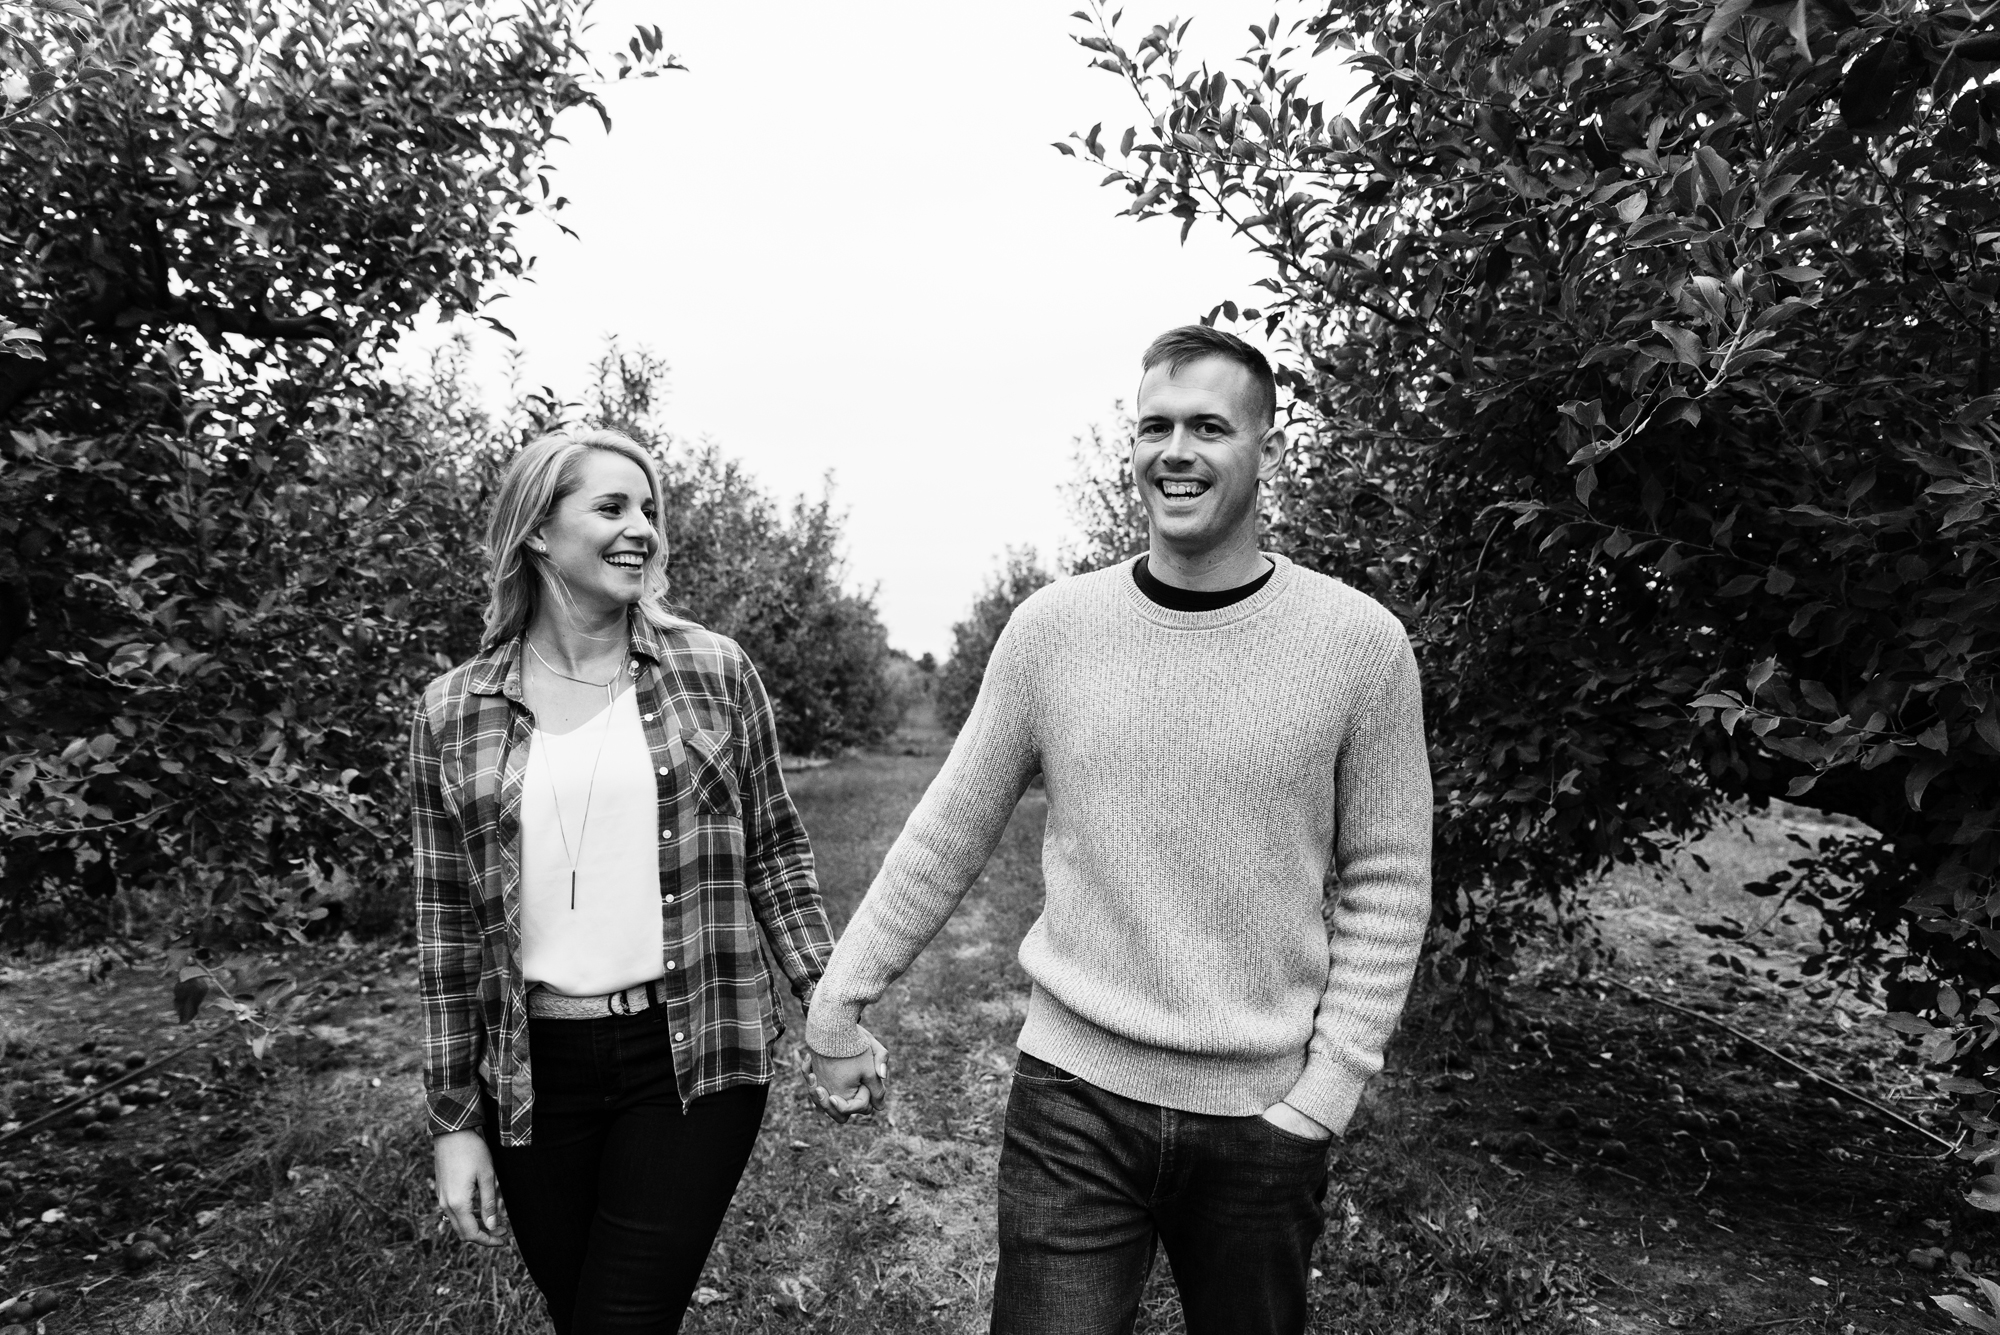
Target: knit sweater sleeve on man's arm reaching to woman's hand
{"x": 939, "y": 854}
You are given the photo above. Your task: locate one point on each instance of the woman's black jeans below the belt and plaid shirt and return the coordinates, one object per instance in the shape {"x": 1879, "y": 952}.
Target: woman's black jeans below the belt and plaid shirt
{"x": 619, "y": 1198}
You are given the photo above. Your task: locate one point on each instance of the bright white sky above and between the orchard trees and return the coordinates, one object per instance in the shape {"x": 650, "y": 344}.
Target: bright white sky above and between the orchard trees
{"x": 849, "y": 237}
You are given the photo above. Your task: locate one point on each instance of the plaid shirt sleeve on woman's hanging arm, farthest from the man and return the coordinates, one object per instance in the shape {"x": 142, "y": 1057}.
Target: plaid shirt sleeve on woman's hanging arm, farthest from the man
{"x": 447, "y": 944}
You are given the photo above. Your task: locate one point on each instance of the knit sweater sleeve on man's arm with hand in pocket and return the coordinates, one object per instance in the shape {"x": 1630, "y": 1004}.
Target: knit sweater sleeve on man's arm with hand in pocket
{"x": 1383, "y": 862}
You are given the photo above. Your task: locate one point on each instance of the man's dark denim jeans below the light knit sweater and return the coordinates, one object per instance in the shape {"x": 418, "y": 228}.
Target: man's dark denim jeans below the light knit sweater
{"x": 1091, "y": 1182}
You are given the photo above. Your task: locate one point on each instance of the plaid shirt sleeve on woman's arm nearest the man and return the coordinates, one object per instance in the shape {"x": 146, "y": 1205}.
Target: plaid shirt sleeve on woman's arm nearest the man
{"x": 785, "y": 894}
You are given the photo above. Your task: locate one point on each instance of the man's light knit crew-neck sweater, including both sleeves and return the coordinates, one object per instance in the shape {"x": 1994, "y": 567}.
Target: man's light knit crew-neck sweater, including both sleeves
{"x": 1237, "y": 858}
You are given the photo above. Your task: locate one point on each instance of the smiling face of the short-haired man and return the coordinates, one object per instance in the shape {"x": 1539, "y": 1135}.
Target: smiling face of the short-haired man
{"x": 1205, "y": 441}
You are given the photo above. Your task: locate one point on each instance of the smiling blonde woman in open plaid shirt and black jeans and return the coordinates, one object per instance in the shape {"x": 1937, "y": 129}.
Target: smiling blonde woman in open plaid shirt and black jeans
{"x": 601, "y": 834}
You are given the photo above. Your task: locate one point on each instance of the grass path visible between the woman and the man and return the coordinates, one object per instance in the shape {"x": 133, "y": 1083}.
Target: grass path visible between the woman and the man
{"x": 889, "y": 1226}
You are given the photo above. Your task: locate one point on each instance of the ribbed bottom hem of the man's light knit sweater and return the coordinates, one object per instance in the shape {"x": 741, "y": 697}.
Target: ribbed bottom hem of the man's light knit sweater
{"x": 1189, "y": 1082}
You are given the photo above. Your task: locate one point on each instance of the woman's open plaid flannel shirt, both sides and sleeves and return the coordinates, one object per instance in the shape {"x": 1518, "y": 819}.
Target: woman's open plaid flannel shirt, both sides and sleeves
{"x": 733, "y": 860}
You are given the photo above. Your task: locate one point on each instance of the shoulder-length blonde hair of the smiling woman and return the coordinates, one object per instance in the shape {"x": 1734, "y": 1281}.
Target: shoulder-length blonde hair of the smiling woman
{"x": 533, "y": 487}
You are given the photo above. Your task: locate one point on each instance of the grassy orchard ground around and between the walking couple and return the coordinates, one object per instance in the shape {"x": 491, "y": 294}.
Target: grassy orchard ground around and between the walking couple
{"x": 1603, "y": 1164}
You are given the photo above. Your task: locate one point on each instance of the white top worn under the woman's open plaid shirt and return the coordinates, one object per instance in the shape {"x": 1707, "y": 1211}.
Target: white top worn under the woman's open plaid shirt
{"x": 611, "y": 938}
